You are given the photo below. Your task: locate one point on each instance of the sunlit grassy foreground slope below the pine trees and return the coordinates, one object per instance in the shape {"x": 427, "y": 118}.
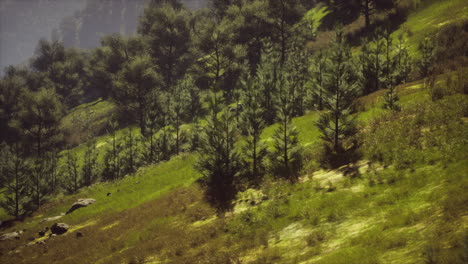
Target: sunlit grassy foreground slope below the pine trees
{"x": 158, "y": 215}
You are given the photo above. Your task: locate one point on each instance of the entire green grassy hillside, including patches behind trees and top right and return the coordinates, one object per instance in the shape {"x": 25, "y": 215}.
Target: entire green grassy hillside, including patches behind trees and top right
{"x": 404, "y": 201}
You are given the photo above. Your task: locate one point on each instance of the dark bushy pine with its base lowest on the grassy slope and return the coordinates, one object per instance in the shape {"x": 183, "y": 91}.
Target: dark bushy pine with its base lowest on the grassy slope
{"x": 218, "y": 160}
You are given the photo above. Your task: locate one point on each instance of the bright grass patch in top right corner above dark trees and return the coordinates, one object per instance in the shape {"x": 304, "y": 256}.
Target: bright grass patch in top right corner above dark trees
{"x": 428, "y": 19}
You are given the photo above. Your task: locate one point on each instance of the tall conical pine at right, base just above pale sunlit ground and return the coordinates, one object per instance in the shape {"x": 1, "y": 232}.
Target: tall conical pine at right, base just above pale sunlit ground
{"x": 337, "y": 125}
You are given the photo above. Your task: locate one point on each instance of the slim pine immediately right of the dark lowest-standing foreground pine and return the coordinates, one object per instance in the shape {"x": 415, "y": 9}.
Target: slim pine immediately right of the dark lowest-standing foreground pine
{"x": 254, "y": 151}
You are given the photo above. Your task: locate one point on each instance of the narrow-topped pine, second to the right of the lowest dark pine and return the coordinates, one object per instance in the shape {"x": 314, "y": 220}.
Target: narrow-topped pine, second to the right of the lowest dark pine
{"x": 286, "y": 157}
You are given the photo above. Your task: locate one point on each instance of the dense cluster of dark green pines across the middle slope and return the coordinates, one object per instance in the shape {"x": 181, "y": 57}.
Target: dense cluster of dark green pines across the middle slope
{"x": 246, "y": 59}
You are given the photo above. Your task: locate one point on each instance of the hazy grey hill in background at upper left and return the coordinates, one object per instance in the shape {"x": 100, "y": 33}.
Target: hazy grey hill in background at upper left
{"x": 78, "y": 23}
